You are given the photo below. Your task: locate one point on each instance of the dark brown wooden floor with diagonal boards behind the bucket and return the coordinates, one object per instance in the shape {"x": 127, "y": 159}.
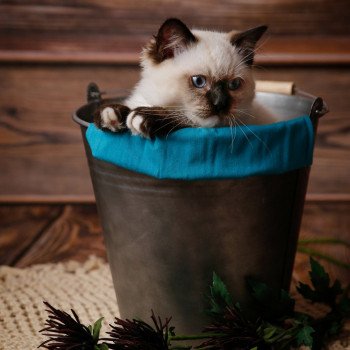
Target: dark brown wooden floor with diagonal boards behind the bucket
{"x": 41, "y": 233}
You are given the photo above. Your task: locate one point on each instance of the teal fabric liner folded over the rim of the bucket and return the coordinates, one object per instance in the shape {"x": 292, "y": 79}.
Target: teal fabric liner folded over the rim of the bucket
{"x": 210, "y": 153}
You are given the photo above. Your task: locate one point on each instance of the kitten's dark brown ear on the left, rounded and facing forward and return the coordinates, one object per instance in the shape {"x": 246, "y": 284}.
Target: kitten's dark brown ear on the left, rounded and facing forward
{"x": 173, "y": 36}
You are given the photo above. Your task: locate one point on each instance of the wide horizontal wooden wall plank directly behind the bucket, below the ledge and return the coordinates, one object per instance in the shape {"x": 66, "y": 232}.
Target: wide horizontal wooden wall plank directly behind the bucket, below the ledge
{"x": 41, "y": 152}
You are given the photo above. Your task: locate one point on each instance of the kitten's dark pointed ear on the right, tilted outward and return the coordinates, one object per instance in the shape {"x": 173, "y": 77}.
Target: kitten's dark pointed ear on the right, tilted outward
{"x": 246, "y": 42}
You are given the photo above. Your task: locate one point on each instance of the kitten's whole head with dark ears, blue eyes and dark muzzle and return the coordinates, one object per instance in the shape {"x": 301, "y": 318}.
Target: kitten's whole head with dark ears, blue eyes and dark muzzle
{"x": 206, "y": 75}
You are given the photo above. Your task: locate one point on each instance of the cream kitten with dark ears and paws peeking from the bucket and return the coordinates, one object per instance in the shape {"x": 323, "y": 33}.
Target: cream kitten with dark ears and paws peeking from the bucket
{"x": 190, "y": 78}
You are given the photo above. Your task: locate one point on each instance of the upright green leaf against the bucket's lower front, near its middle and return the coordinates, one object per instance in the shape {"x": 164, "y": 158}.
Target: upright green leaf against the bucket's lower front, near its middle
{"x": 219, "y": 297}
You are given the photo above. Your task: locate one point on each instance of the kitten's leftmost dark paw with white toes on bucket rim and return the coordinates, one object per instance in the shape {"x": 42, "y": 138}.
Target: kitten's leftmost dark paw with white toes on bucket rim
{"x": 111, "y": 117}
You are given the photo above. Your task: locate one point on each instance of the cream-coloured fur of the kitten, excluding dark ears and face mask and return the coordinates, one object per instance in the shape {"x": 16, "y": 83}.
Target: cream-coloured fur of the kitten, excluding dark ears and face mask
{"x": 166, "y": 83}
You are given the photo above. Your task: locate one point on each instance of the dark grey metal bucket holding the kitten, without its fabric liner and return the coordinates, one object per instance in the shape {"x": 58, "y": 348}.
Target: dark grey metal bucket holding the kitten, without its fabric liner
{"x": 164, "y": 238}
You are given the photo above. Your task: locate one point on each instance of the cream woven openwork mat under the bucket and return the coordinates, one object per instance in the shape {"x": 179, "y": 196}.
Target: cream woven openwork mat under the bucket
{"x": 85, "y": 287}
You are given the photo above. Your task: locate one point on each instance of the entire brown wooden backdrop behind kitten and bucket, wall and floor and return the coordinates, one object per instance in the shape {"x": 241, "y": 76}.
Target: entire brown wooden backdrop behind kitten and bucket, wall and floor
{"x": 50, "y": 51}
